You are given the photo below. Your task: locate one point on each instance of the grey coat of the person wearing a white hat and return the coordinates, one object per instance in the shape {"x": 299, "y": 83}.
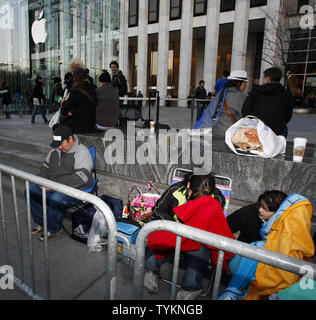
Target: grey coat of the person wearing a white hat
{"x": 235, "y": 100}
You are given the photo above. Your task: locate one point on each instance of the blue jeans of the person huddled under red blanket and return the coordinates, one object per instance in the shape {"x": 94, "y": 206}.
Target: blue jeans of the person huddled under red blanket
{"x": 196, "y": 262}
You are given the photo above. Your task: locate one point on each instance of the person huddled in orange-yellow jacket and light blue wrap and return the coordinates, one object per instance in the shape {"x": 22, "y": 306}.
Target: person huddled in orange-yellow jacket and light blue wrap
{"x": 287, "y": 231}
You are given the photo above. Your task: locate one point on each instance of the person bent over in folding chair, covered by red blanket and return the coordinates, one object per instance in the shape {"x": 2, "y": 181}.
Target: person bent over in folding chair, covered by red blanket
{"x": 201, "y": 211}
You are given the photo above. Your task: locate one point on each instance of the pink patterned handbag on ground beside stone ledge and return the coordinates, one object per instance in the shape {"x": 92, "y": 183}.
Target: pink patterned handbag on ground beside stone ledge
{"x": 140, "y": 206}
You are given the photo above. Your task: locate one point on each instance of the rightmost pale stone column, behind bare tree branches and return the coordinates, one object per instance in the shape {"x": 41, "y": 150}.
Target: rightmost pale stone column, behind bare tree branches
{"x": 274, "y": 17}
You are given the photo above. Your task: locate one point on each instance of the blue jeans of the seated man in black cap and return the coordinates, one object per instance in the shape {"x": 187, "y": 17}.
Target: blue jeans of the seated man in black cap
{"x": 56, "y": 207}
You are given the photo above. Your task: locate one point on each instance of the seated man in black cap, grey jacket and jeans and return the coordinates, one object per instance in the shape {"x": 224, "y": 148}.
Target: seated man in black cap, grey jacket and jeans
{"x": 70, "y": 163}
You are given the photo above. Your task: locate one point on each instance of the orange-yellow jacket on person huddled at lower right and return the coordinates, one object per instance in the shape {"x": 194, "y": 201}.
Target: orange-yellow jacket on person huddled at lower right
{"x": 289, "y": 235}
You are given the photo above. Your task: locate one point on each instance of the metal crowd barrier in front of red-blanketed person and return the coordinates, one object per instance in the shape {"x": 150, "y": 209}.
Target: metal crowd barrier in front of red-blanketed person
{"x": 274, "y": 259}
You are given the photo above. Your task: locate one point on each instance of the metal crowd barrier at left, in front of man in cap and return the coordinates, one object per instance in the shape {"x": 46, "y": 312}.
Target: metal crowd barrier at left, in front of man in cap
{"x": 75, "y": 193}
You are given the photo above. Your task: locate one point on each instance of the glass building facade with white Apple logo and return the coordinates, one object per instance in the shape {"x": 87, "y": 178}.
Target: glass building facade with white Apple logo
{"x": 41, "y": 37}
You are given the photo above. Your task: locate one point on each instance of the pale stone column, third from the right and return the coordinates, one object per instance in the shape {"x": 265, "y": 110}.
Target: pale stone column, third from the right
{"x": 211, "y": 43}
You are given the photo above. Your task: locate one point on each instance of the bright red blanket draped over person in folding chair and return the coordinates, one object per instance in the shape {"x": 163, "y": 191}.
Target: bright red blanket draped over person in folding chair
{"x": 204, "y": 213}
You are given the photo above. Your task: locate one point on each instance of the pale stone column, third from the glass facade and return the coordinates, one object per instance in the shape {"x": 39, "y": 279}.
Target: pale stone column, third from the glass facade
{"x": 163, "y": 50}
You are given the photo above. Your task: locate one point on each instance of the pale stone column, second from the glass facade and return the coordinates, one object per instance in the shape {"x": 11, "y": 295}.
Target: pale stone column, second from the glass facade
{"x": 142, "y": 47}
